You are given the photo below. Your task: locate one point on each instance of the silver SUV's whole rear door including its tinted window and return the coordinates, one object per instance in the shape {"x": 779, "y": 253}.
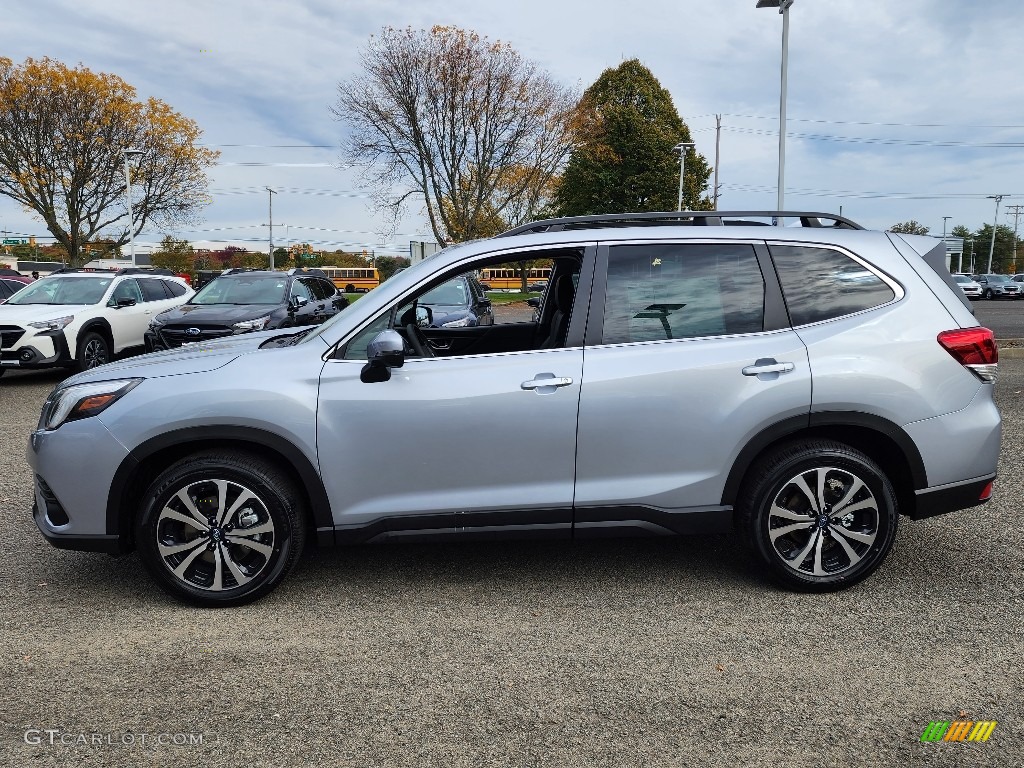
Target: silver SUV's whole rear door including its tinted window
{"x": 689, "y": 356}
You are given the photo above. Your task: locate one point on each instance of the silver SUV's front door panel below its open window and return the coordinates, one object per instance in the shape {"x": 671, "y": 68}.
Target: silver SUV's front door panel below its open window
{"x": 475, "y": 444}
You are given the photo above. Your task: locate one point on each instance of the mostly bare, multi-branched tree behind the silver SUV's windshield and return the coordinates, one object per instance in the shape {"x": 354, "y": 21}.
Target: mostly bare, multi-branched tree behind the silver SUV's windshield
{"x": 464, "y": 123}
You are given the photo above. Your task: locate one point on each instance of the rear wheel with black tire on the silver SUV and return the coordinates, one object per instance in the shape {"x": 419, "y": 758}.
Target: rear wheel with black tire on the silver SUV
{"x": 824, "y": 549}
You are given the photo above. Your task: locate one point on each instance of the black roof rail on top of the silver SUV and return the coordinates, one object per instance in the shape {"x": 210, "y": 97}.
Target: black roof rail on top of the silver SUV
{"x": 680, "y": 219}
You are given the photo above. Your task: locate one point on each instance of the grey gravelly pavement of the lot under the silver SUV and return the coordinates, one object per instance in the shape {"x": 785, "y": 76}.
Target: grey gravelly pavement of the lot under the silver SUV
{"x": 634, "y": 653}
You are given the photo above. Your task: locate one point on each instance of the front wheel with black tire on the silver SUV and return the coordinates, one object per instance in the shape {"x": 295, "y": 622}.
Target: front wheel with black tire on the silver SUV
{"x": 225, "y": 568}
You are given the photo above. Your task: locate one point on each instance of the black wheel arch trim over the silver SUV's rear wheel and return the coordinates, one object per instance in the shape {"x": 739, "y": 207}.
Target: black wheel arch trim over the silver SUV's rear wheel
{"x": 823, "y": 420}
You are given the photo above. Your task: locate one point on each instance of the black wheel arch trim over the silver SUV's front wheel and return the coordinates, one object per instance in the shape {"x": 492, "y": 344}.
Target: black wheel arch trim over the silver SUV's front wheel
{"x": 118, "y": 510}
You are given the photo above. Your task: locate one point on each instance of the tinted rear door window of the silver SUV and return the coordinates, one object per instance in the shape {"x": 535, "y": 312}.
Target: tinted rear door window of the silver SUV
{"x": 680, "y": 291}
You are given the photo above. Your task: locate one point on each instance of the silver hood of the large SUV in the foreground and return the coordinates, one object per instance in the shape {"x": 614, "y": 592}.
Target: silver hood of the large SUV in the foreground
{"x": 191, "y": 359}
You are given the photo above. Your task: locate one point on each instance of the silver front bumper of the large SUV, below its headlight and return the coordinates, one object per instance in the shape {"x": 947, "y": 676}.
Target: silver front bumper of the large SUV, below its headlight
{"x": 71, "y": 495}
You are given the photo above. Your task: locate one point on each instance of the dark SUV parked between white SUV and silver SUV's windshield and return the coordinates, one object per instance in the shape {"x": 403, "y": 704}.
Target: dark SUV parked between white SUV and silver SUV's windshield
{"x": 241, "y": 302}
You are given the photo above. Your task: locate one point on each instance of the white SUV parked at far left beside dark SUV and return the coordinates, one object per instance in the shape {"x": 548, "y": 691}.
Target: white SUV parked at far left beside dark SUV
{"x": 81, "y": 320}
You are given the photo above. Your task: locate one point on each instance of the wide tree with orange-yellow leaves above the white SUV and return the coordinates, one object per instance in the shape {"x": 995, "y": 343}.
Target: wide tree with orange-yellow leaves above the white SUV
{"x": 63, "y": 133}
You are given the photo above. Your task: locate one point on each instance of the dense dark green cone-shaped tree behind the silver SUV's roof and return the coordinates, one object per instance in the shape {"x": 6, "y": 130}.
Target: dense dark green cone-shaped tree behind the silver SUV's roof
{"x": 624, "y": 159}
